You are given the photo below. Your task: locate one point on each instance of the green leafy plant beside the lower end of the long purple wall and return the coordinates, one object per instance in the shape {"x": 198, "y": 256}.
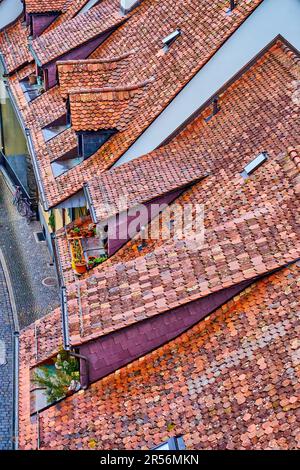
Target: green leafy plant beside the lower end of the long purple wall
{"x": 61, "y": 379}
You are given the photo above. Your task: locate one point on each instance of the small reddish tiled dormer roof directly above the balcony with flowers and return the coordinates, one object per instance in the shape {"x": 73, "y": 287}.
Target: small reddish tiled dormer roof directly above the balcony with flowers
{"x": 143, "y": 179}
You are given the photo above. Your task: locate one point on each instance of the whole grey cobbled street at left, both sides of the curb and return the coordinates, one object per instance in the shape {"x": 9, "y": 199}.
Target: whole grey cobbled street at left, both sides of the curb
{"x": 28, "y": 264}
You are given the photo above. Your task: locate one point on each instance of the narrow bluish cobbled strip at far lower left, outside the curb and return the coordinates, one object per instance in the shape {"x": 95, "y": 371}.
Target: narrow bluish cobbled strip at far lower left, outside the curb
{"x": 6, "y": 366}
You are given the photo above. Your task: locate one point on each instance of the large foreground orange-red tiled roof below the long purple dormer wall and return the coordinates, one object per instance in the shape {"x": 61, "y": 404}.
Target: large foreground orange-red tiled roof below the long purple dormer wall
{"x": 228, "y": 383}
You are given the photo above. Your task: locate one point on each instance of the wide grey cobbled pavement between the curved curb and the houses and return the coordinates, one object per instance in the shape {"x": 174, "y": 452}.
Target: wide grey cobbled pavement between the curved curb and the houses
{"x": 27, "y": 261}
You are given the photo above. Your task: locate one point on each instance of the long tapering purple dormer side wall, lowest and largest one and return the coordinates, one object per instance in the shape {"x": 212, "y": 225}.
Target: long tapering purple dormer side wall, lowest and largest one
{"x": 111, "y": 352}
